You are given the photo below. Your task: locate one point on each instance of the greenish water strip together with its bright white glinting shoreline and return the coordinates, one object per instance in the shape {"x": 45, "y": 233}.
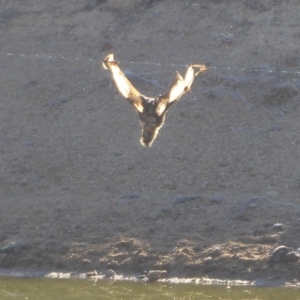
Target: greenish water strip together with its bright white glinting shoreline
{"x": 43, "y": 286}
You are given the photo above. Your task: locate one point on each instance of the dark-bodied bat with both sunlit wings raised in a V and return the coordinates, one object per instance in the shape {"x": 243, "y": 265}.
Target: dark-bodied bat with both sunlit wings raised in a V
{"x": 152, "y": 111}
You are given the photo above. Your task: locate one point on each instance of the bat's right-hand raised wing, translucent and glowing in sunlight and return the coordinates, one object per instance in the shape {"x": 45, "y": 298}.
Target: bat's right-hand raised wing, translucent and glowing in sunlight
{"x": 179, "y": 87}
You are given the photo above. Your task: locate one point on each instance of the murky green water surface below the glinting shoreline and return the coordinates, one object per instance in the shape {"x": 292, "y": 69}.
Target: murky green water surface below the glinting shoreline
{"x": 44, "y": 289}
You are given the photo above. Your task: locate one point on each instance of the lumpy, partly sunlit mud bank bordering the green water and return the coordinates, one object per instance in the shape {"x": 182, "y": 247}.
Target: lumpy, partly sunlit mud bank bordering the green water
{"x": 237, "y": 263}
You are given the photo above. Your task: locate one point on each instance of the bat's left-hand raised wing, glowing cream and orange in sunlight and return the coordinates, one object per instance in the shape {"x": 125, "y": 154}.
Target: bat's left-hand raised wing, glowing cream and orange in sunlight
{"x": 124, "y": 86}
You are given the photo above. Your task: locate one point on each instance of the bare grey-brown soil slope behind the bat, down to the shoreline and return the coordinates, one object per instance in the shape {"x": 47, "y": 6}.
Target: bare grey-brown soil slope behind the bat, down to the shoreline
{"x": 79, "y": 192}
